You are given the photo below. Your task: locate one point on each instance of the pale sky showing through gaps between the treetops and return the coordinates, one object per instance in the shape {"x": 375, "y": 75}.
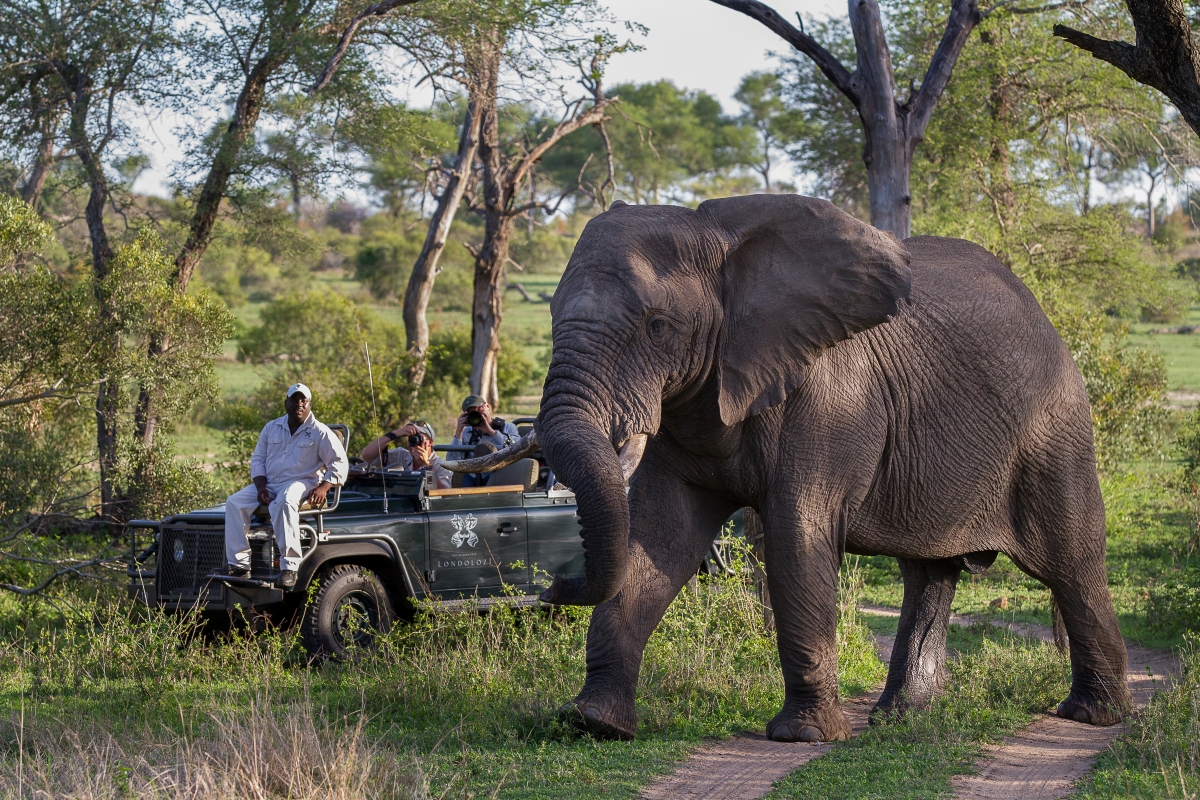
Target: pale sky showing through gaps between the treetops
{"x": 695, "y": 44}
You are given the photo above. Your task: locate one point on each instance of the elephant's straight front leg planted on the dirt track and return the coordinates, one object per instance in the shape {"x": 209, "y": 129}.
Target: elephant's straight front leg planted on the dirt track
{"x": 802, "y": 576}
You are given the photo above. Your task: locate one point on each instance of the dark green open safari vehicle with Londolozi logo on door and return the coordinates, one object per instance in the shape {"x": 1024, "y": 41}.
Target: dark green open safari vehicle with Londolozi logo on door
{"x": 385, "y": 539}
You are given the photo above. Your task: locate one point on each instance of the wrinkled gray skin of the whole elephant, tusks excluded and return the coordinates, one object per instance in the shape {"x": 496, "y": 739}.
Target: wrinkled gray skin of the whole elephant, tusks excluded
{"x": 863, "y": 395}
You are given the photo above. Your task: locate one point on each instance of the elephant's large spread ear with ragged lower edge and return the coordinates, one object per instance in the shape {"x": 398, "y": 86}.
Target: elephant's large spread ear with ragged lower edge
{"x": 800, "y": 276}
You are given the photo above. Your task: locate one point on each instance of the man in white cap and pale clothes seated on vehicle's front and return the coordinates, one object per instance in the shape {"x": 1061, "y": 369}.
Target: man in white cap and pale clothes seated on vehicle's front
{"x": 297, "y": 459}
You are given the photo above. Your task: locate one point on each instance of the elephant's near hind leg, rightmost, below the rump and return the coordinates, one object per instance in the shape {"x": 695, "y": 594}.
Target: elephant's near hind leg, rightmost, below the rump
{"x": 1061, "y": 543}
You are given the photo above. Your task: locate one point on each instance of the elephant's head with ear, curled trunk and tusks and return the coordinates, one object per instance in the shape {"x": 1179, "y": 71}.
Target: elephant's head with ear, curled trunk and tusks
{"x": 658, "y": 303}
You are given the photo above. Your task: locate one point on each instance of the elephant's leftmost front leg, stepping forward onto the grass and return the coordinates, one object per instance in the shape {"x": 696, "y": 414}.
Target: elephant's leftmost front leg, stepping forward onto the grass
{"x": 670, "y": 532}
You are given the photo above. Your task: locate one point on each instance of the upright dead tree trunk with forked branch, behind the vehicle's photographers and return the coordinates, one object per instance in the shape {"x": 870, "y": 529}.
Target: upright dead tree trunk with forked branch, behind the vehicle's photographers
{"x": 502, "y": 181}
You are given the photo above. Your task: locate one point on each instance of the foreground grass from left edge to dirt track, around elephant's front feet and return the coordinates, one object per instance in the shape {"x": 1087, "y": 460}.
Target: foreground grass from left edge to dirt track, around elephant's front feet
{"x": 457, "y": 703}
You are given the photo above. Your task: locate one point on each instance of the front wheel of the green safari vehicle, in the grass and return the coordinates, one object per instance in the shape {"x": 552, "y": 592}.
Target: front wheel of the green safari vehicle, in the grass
{"x": 350, "y": 610}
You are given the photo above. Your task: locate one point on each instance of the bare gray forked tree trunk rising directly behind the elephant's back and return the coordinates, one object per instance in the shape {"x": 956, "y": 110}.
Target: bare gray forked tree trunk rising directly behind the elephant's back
{"x": 891, "y": 128}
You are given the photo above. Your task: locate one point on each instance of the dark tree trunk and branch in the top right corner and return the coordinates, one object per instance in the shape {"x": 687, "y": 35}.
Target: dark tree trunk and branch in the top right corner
{"x": 1166, "y": 56}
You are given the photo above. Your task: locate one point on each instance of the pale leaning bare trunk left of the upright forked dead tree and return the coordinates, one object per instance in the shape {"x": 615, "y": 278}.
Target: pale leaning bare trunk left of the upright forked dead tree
{"x": 425, "y": 270}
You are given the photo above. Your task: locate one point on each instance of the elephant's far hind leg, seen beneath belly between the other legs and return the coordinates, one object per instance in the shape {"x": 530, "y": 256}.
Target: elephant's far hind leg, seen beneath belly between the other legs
{"x": 917, "y": 672}
